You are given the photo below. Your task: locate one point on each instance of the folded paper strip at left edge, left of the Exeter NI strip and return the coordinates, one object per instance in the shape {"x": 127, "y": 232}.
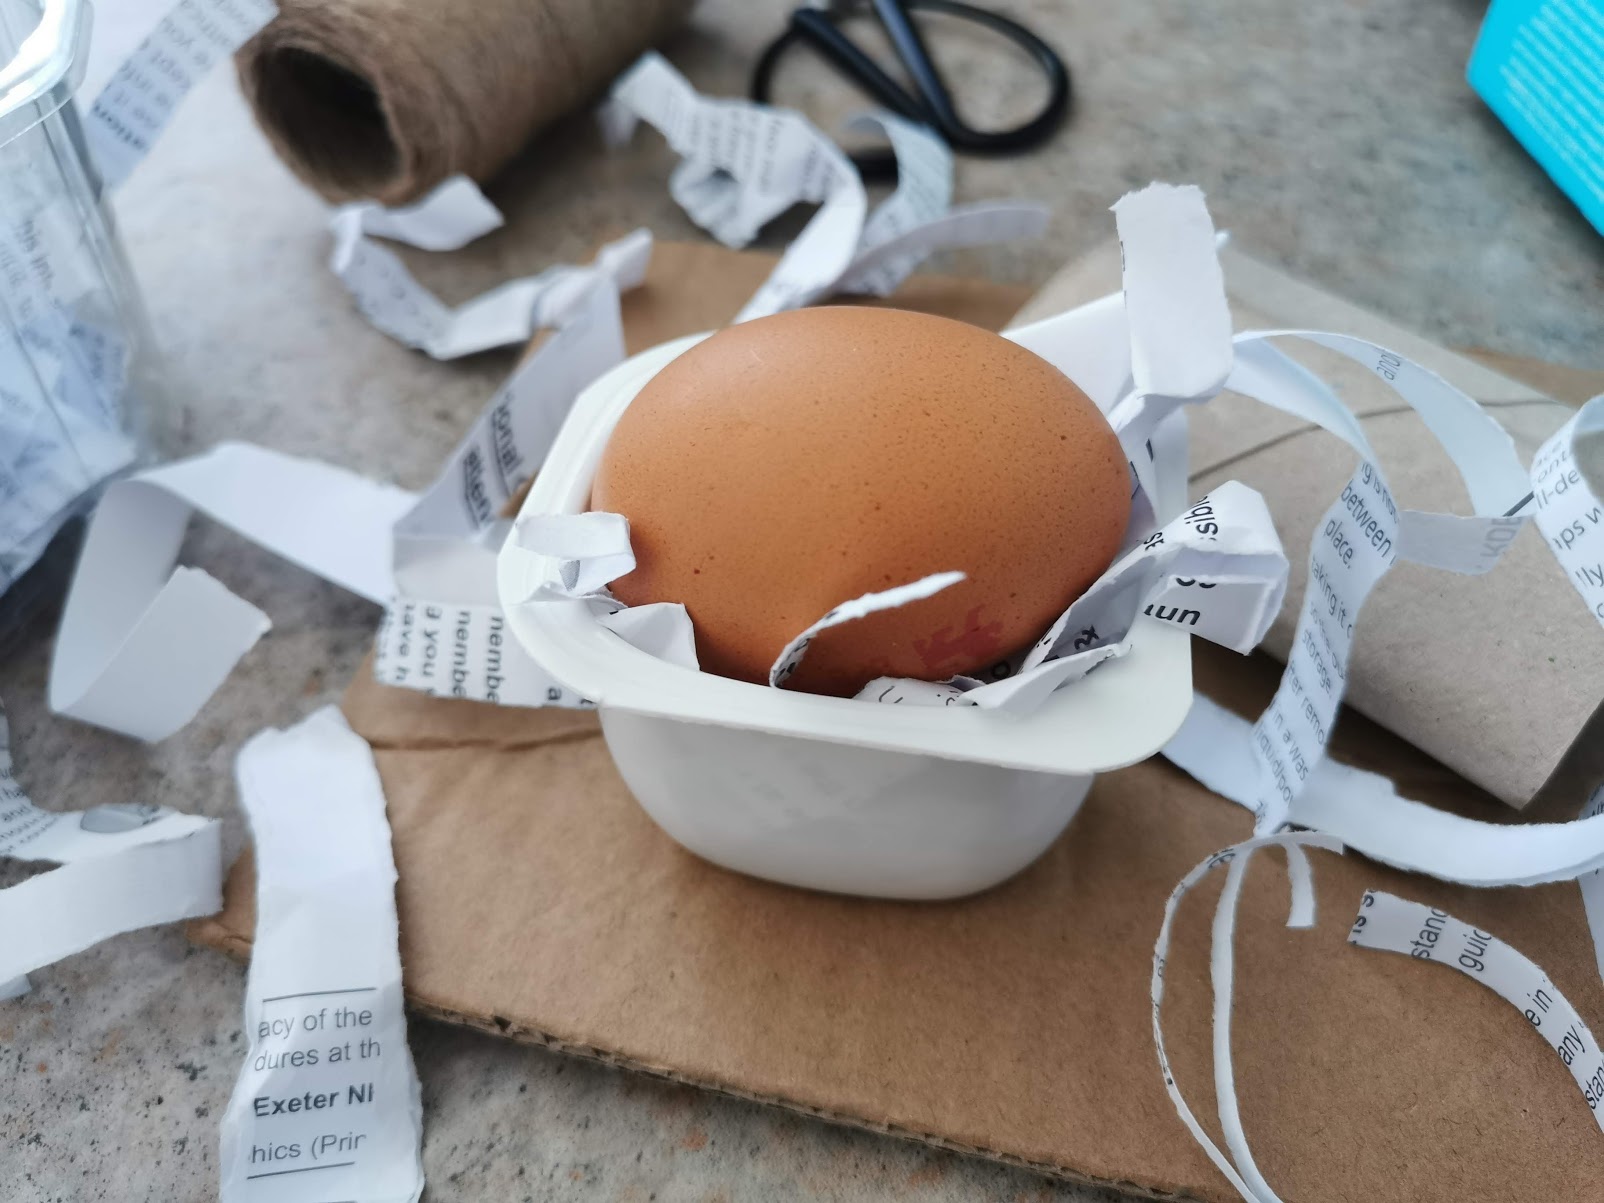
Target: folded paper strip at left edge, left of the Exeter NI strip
{"x": 121, "y": 869}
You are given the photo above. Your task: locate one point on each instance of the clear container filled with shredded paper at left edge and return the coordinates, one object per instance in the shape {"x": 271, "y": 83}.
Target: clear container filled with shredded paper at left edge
{"x": 75, "y": 344}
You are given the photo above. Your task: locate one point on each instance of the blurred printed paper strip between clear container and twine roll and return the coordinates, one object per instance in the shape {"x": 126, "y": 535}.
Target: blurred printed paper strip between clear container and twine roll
{"x": 140, "y": 99}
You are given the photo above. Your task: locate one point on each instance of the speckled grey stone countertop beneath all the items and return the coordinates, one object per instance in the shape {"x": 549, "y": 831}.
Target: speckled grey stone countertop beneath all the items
{"x": 1337, "y": 140}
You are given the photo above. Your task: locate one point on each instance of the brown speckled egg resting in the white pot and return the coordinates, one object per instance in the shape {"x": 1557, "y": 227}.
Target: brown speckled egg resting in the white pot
{"x": 800, "y": 461}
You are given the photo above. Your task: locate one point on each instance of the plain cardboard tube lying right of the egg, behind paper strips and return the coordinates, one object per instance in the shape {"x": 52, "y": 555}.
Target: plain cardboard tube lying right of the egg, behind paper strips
{"x": 1499, "y": 676}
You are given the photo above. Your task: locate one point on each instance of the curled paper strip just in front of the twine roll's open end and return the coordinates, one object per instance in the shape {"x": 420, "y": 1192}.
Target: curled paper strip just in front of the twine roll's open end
{"x": 448, "y": 219}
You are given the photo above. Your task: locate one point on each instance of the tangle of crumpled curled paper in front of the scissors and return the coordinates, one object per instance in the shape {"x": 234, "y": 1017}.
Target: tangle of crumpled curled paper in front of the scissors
{"x": 745, "y": 164}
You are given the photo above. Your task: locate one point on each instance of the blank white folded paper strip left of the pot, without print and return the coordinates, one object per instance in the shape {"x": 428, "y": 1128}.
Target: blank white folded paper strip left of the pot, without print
{"x": 142, "y": 647}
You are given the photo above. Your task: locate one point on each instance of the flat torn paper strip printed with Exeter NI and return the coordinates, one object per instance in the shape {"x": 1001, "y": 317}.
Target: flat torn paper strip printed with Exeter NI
{"x": 328, "y": 1103}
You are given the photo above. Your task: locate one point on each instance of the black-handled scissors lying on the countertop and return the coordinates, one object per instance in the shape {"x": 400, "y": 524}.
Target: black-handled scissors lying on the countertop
{"x": 930, "y": 103}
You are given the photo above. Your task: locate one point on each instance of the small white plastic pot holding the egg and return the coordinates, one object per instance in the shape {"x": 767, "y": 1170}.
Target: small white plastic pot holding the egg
{"x": 835, "y": 793}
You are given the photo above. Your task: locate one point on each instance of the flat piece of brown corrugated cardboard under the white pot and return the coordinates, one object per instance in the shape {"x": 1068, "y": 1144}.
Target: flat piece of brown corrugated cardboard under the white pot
{"x": 538, "y": 902}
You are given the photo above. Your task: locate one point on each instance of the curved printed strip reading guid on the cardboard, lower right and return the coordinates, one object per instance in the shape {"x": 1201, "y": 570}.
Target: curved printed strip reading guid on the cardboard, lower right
{"x": 1427, "y": 934}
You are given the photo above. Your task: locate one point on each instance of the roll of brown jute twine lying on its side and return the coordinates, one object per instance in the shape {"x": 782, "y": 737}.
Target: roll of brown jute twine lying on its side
{"x": 386, "y": 99}
